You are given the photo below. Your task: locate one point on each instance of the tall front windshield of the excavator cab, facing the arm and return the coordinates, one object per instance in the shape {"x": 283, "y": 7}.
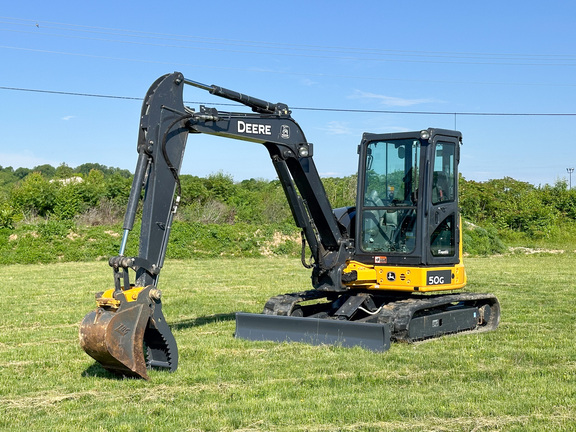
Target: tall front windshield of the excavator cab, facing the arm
{"x": 390, "y": 194}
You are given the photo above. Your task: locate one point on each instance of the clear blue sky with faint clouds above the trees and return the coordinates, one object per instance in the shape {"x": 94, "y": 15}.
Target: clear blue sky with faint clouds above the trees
{"x": 470, "y": 60}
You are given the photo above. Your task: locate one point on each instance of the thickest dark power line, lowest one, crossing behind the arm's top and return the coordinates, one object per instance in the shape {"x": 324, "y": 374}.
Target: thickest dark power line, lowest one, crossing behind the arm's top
{"x": 348, "y": 110}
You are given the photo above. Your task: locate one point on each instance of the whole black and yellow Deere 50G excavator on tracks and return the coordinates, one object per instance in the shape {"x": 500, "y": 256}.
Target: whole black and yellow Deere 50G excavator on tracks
{"x": 387, "y": 269}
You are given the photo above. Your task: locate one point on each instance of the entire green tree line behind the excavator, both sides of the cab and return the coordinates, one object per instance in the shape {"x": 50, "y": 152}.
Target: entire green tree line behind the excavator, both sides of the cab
{"x": 94, "y": 194}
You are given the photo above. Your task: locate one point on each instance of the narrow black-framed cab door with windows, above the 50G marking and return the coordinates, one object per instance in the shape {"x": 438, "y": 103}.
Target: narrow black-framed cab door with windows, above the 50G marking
{"x": 443, "y": 214}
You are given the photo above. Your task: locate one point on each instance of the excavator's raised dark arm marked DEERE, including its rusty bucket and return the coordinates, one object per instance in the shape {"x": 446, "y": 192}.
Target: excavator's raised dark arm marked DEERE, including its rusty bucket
{"x": 127, "y": 332}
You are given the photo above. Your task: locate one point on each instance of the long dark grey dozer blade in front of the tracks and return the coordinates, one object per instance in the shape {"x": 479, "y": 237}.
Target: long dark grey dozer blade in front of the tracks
{"x": 314, "y": 331}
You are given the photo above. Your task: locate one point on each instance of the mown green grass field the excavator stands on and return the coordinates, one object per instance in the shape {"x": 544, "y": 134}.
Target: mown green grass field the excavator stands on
{"x": 520, "y": 378}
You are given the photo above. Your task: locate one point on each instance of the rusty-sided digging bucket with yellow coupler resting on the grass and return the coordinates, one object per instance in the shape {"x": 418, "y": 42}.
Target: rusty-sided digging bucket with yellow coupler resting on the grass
{"x": 127, "y": 333}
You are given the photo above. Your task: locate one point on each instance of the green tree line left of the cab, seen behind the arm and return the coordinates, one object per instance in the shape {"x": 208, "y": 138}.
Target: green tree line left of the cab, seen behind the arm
{"x": 66, "y": 193}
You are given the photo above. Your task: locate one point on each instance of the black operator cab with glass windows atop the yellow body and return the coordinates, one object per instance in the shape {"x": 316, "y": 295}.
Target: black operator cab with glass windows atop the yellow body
{"x": 407, "y": 200}
